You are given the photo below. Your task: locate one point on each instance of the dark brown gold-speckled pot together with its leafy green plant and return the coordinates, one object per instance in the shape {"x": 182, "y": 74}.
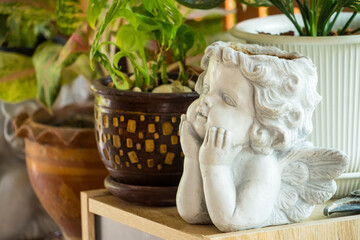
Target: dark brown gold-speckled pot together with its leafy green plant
{"x": 137, "y": 120}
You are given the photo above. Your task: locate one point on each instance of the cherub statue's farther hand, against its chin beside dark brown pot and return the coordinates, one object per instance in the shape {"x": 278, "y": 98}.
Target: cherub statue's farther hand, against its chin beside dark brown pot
{"x": 190, "y": 141}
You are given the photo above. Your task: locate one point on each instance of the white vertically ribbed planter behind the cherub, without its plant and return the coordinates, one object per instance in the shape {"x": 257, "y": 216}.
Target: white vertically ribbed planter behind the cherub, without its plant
{"x": 336, "y": 119}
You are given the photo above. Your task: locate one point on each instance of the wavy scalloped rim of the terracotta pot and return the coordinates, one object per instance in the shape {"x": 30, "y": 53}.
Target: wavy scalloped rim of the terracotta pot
{"x": 29, "y": 127}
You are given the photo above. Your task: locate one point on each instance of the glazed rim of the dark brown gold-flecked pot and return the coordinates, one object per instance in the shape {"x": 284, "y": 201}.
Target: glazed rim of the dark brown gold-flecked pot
{"x": 98, "y": 87}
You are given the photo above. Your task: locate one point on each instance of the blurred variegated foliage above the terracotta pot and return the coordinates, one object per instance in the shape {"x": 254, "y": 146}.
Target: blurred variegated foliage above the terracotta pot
{"x": 44, "y": 45}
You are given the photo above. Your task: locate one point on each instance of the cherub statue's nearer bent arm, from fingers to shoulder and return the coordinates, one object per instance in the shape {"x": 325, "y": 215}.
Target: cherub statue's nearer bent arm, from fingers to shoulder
{"x": 236, "y": 202}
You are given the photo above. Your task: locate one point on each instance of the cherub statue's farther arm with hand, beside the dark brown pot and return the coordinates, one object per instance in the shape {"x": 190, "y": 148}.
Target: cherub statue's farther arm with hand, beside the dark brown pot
{"x": 190, "y": 199}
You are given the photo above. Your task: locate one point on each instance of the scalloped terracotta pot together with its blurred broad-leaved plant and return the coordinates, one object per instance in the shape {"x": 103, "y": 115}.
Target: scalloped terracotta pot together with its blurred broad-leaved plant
{"x": 60, "y": 146}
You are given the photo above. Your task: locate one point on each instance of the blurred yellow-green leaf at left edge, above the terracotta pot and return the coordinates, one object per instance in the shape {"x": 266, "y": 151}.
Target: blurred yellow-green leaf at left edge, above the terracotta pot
{"x": 17, "y": 77}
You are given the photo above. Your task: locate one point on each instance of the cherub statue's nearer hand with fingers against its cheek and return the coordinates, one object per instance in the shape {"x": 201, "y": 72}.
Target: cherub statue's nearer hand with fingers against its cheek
{"x": 216, "y": 148}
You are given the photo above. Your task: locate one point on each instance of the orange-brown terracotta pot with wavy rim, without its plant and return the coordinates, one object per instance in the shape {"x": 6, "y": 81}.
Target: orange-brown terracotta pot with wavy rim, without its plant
{"x": 61, "y": 162}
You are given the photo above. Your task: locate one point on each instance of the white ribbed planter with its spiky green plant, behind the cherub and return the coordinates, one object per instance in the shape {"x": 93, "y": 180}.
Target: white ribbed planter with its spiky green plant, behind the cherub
{"x": 336, "y": 122}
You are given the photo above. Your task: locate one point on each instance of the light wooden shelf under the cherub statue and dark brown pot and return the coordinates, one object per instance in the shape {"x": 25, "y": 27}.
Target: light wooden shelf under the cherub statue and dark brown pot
{"x": 166, "y": 223}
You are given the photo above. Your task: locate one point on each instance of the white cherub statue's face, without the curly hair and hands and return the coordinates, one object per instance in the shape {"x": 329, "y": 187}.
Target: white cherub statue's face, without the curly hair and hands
{"x": 226, "y": 102}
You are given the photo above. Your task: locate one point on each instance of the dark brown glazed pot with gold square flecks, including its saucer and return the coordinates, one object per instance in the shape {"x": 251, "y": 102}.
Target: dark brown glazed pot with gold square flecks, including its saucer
{"x": 138, "y": 140}
